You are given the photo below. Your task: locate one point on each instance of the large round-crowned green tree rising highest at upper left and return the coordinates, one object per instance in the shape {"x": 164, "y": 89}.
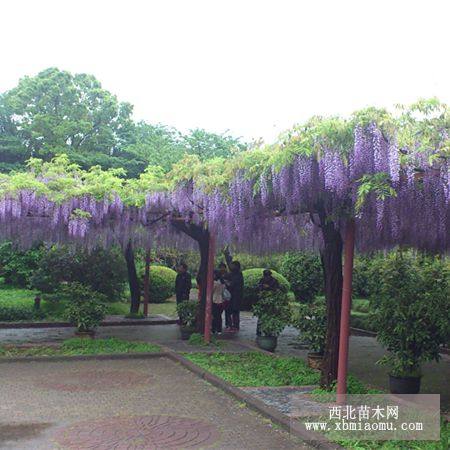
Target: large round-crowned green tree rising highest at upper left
{"x": 57, "y": 111}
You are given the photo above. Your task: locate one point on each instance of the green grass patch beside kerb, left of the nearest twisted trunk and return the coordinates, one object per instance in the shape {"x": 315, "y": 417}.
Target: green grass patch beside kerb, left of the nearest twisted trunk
{"x": 256, "y": 369}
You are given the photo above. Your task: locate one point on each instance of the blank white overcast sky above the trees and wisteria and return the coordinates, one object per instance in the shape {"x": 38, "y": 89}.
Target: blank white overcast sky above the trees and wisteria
{"x": 253, "y": 67}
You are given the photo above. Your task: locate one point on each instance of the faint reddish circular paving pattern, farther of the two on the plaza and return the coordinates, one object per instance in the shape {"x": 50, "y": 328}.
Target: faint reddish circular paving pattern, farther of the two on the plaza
{"x": 92, "y": 380}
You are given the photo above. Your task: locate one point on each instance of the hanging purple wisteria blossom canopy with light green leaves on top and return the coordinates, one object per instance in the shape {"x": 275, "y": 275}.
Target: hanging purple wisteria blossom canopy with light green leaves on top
{"x": 388, "y": 171}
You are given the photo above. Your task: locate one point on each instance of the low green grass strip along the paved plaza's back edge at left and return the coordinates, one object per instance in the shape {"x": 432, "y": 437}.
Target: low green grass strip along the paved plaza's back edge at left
{"x": 79, "y": 346}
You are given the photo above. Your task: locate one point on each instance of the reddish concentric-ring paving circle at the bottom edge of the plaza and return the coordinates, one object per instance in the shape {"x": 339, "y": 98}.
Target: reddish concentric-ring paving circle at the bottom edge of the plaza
{"x": 143, "y": 433}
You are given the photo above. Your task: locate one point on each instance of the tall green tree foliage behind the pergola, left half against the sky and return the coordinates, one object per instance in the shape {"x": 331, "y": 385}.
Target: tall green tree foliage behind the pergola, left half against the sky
{"x": 57, "y": 112}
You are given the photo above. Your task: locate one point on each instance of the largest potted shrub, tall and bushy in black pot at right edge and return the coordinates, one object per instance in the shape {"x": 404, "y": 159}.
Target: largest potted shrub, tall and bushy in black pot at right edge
{"x": 412, "y": 314}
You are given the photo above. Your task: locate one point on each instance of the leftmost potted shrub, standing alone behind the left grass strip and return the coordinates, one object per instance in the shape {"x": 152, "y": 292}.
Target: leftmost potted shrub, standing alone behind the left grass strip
{"x": 85, "y": 308}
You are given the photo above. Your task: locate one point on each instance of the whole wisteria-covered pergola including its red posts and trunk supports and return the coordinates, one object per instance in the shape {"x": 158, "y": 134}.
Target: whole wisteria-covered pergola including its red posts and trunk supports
{"x": 335, "y": 189}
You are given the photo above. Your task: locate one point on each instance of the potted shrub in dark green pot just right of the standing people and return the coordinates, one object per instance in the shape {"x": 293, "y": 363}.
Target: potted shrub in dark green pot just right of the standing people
{"x": 274, "y": 313}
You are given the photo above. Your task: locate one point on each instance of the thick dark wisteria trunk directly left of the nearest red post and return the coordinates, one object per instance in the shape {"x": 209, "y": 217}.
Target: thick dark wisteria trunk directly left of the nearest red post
{"x": 331, "y": 257}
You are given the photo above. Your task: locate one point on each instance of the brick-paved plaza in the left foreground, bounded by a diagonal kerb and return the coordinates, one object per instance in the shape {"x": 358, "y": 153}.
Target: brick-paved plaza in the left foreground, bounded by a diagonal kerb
{"x": 148, "y": 403}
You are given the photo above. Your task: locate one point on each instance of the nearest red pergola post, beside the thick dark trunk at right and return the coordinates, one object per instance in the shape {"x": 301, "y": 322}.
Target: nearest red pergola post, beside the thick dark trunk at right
{"x": 349, "y": 250}
